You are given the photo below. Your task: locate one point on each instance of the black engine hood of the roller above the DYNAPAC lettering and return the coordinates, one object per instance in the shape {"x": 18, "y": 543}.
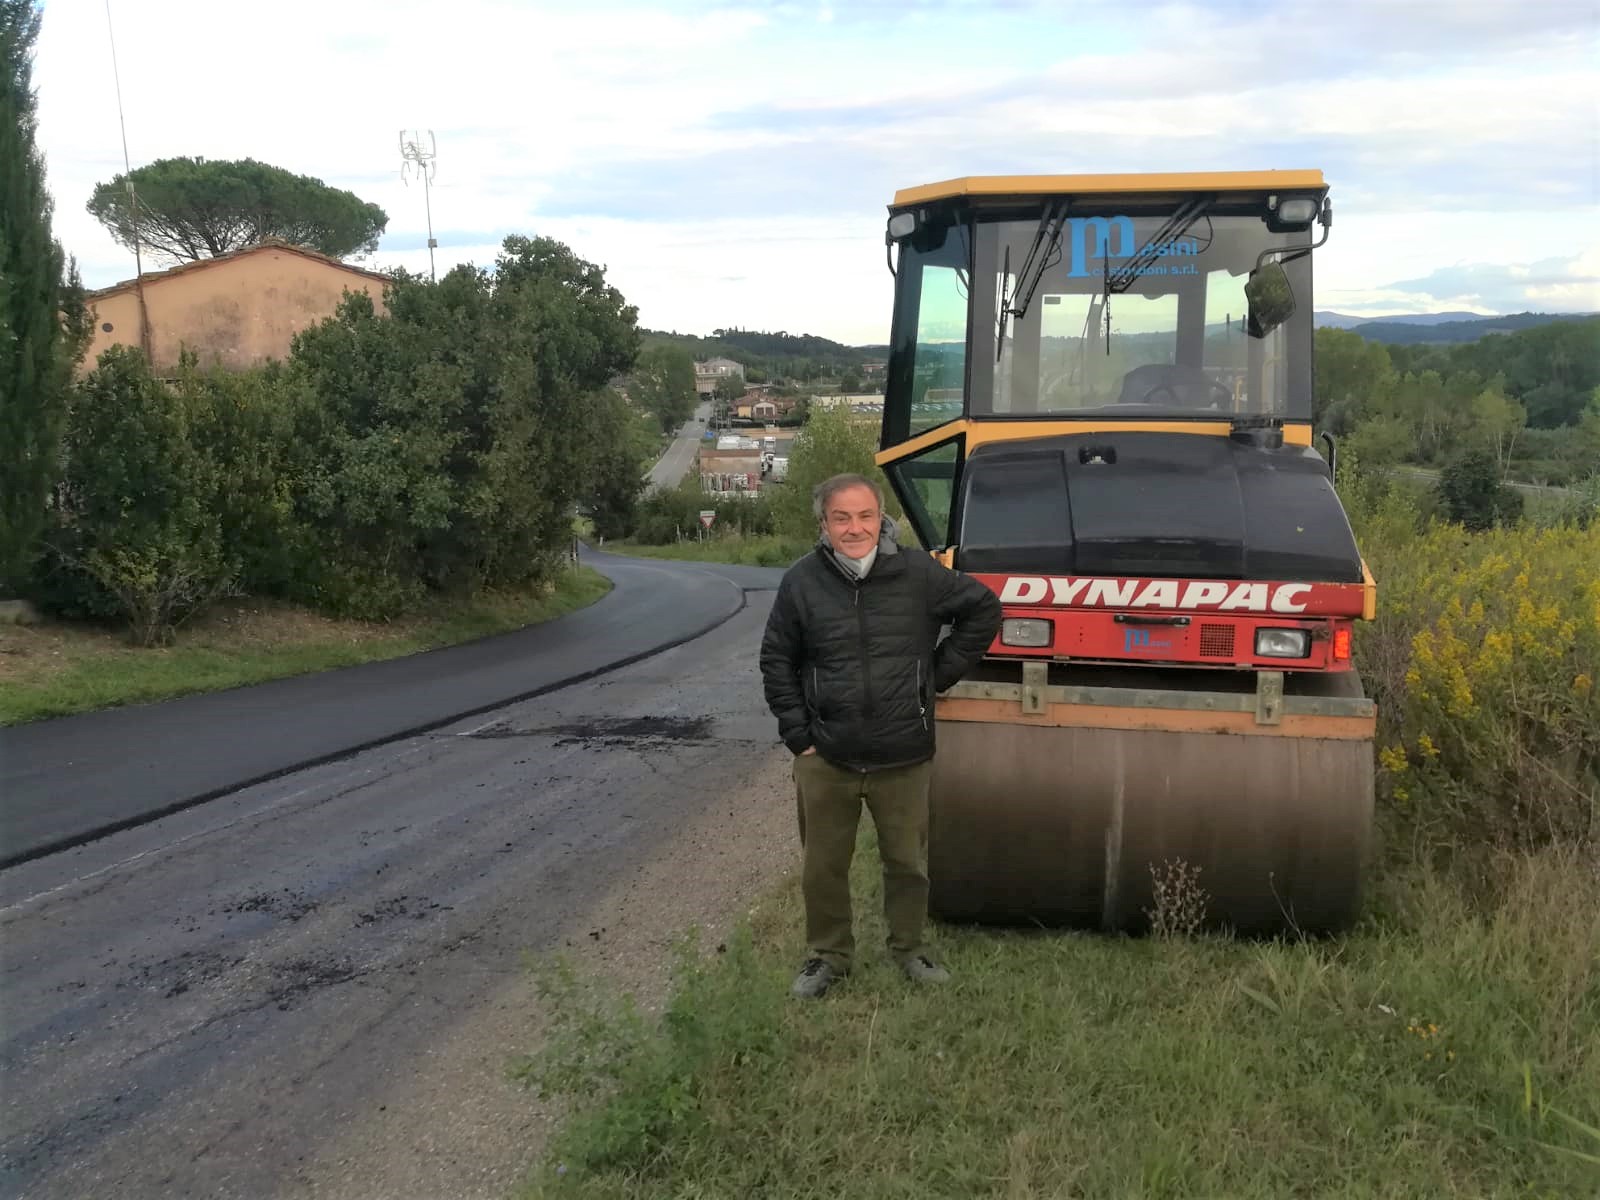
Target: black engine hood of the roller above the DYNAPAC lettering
{"x": 1154, "y": 505}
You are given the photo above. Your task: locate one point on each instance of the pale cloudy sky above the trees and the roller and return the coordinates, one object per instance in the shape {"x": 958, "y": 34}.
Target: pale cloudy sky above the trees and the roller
{"x": 732, "y": 164}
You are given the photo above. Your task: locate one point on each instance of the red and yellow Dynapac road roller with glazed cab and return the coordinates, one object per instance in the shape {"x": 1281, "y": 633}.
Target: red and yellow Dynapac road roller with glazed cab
{"x": 1100, "y": 404}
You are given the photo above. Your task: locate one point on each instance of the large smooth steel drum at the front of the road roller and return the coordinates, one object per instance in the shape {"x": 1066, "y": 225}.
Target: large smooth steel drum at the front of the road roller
{"x": 1063, "y": 826}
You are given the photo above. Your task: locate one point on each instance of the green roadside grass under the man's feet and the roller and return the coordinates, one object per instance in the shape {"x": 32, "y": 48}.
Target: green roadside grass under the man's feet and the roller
{"x": 1388, "y": 1063}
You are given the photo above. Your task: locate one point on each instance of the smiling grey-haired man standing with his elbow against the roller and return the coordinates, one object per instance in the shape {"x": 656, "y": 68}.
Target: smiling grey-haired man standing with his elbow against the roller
{"x": 852, "y": 662}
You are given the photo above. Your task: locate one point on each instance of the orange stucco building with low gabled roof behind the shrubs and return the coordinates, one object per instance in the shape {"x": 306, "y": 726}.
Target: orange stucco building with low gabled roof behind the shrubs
{"x": 236, "y": 310}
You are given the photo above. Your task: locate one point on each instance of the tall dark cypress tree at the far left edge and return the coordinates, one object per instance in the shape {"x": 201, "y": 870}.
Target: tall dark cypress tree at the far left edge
{"x": 38, "y": 346}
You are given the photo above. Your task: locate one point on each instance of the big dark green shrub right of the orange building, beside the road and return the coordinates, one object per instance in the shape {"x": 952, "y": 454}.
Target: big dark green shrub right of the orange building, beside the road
{"x": 450, "y": 441}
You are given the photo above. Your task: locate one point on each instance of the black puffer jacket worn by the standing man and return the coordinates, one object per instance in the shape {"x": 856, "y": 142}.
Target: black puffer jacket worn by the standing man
{"x": 852, "y": 666}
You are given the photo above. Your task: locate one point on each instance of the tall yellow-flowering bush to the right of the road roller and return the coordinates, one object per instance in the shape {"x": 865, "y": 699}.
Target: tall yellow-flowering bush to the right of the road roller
{"x": 1484, "y": 662}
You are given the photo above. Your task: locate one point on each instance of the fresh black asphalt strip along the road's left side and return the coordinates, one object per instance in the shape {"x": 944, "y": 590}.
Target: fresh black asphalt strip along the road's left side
{"x": 73, "y": 780}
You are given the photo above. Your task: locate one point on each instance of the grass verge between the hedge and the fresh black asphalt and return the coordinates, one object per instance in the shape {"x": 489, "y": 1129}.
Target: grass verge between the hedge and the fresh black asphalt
{"x": 58, "y": 670}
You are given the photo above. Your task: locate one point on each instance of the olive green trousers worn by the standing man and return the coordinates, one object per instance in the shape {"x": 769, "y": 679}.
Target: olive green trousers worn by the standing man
{"x": 830, "y": 802}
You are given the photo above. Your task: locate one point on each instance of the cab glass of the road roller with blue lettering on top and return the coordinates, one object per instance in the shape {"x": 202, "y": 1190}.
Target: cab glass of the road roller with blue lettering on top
{"x": 1105, "y": 314}
